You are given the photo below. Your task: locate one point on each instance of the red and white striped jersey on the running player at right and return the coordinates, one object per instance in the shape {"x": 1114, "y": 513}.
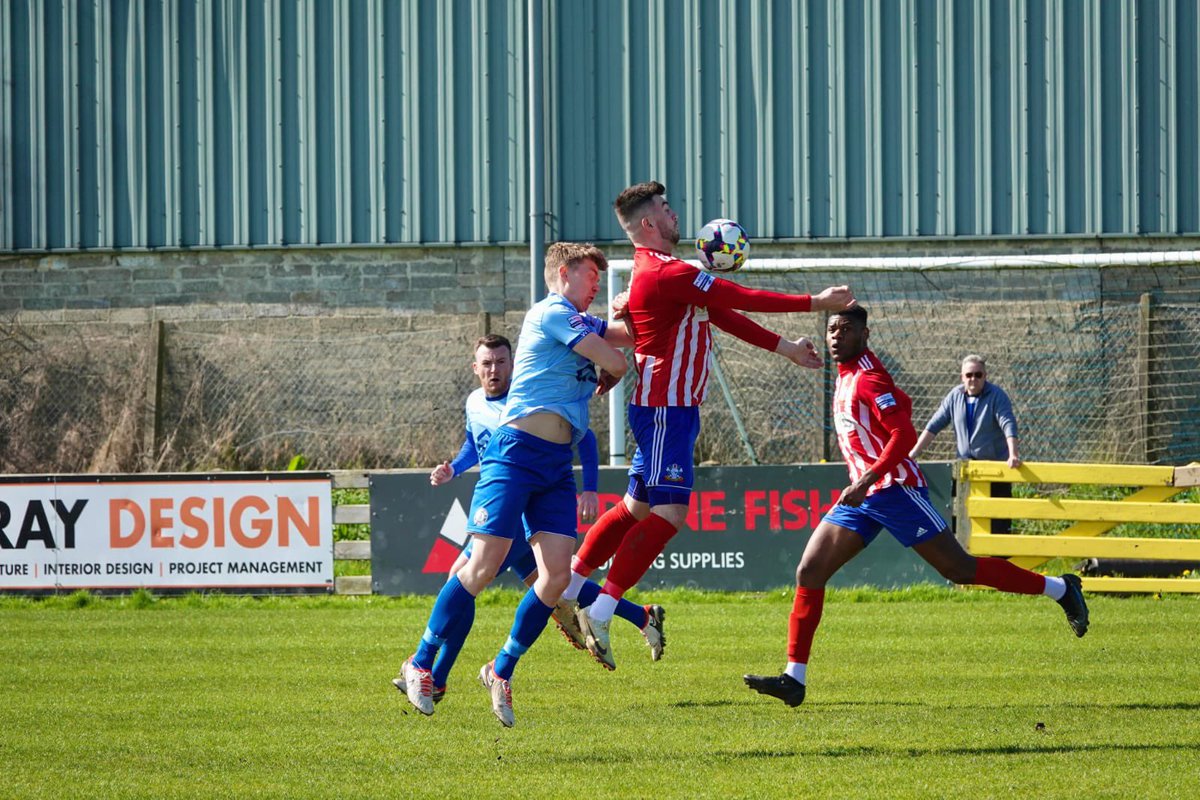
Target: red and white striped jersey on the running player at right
{"x": 867, "y": 410}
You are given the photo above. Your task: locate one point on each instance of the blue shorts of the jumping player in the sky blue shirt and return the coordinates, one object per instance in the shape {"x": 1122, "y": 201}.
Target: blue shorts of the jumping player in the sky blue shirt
{"x": 524, "y": 476}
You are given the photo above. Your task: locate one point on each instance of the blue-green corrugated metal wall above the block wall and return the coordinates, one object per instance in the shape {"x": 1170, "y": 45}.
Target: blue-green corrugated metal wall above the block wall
{"x": 183, "y": 123}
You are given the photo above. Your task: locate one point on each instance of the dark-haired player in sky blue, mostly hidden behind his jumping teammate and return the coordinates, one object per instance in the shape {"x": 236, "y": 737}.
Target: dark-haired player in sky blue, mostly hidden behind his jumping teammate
{"x": 484, "y": 408}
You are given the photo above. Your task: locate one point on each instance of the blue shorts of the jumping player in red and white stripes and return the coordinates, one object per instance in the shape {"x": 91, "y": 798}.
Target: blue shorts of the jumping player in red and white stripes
{"x": 663, "y": 468}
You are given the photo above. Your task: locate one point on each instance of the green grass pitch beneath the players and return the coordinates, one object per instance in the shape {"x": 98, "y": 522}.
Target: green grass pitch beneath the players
{"x": 919, "y": 694}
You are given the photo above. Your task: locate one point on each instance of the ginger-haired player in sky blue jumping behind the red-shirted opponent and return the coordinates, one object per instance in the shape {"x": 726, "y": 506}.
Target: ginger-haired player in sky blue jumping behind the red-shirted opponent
{"x": 526, "y": 471}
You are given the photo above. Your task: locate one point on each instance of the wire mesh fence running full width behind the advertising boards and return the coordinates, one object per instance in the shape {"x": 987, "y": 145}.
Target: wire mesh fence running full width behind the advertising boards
{"x": 1101, "y": 365}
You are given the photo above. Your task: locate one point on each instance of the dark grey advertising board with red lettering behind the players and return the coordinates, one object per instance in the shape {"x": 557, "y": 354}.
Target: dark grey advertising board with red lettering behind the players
{"x": 747, "y": 531}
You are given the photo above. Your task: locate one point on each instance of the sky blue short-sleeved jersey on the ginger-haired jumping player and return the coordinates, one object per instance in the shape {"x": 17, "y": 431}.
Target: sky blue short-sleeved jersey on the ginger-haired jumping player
{"x": 548, "y": 376}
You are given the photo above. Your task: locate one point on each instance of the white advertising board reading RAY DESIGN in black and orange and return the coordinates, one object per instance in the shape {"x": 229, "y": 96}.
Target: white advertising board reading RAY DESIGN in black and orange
{"x": 250, "y": 532}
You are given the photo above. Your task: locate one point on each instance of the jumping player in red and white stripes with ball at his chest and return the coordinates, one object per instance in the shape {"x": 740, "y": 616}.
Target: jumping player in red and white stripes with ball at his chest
{"x": 671, "y": 309}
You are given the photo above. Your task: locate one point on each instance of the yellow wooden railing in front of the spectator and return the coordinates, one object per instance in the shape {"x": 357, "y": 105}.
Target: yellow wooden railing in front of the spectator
{"x": 1093, "y": 519}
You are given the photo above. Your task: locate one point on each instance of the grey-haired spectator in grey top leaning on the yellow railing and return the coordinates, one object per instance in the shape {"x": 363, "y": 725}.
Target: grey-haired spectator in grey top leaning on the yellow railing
{"x": 985, "y": 425}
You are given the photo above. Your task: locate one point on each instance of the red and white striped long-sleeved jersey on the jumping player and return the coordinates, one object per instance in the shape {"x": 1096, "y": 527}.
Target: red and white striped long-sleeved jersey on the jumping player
{"x": 669, "y": 311}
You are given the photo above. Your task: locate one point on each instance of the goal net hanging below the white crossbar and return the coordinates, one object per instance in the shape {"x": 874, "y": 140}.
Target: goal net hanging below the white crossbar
{"x": 1101, "y": 364}
